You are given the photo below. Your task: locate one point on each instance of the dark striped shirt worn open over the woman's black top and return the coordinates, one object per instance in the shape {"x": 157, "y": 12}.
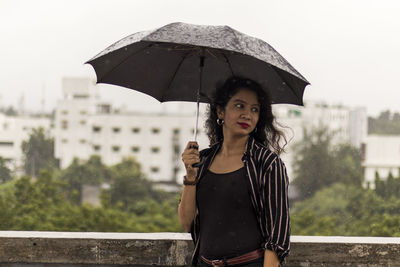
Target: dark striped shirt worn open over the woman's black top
{"x": 268, "y": 186}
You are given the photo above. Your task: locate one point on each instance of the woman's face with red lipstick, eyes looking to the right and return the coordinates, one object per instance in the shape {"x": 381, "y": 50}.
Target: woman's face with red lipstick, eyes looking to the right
{"x": 241, "y": 113}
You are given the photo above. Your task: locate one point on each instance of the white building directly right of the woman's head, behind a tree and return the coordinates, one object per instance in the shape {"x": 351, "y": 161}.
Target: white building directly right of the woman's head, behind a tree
{"x": 346, "y": 123}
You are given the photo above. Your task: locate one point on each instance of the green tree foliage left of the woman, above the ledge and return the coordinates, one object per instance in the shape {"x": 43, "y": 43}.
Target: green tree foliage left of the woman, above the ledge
{"x": 44, "y": 203}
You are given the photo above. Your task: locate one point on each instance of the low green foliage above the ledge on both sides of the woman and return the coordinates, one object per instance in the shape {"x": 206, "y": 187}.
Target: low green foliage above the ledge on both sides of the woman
{"x": 43, "y": 204}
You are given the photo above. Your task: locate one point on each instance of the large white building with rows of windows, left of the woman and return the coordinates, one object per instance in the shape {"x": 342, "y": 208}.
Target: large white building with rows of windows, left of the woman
{"x": 87, "y": 126}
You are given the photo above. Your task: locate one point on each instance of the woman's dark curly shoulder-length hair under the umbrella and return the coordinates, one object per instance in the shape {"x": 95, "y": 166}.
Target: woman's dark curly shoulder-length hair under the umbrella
{"x": 266, "y": 131}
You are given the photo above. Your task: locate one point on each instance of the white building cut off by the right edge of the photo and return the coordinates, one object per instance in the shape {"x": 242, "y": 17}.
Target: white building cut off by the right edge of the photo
{"x": 382, "y": 156}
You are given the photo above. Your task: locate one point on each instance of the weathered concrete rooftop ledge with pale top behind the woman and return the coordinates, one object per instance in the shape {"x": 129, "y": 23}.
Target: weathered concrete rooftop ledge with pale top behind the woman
{"x": 22, "y": 248}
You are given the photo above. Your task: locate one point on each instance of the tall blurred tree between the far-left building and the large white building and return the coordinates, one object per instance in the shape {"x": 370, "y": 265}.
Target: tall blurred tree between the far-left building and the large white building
{"x": 38, "y": 152}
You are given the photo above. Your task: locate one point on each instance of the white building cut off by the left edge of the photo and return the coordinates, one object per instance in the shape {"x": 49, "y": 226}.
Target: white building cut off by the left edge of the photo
{"x": 13, "y": 131}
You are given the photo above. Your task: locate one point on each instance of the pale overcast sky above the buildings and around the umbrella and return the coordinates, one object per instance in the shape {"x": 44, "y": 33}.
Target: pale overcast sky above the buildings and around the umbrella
{"x": 348, "y": 49}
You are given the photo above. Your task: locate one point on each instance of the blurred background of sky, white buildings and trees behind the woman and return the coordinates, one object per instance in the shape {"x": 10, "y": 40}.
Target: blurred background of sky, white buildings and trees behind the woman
{"x": 76, "y": 156}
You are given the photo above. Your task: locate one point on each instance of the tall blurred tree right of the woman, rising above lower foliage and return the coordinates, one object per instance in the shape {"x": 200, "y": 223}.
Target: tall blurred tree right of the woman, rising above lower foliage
{"x": 318, "y": 163}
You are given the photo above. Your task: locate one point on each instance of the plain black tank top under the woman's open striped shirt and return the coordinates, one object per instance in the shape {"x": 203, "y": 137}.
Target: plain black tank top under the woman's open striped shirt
{"x": 228, "y": 224}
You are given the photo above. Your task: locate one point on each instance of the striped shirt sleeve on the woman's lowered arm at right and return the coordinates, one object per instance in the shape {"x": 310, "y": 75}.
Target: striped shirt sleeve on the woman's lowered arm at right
{"x": 277, "y": 210}
